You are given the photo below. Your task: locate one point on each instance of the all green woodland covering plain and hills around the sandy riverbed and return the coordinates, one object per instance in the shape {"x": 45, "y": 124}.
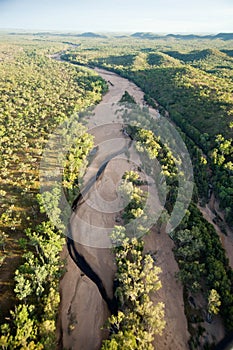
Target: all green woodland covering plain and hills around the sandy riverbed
{"x": 190, "y": 82}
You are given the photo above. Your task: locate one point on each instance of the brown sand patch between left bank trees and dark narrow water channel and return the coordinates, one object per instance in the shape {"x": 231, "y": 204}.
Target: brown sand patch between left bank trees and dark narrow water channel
{"x": 82, "y": 312}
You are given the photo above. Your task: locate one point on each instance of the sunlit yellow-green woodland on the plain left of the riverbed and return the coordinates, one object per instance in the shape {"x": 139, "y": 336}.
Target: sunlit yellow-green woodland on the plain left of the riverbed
{"x": 37, "y": 94}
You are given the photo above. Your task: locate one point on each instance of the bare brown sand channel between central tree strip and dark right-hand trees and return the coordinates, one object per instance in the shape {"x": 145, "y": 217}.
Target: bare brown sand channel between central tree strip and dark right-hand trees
{"x": 176, "y": 334}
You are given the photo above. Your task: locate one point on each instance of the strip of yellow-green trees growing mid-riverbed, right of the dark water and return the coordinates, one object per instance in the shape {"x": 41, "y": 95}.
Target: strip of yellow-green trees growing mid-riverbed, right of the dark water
{"x": 139, "y": 318}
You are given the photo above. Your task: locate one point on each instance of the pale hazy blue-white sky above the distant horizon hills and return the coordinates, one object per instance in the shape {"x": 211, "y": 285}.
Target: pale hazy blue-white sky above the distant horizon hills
{"x": 119, "y": 15}
